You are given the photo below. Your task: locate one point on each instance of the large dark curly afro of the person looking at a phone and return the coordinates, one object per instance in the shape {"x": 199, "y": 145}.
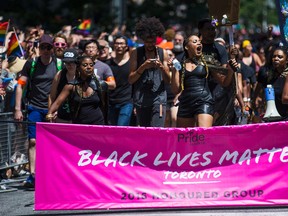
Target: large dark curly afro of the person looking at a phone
{"x": 149, "y": 27}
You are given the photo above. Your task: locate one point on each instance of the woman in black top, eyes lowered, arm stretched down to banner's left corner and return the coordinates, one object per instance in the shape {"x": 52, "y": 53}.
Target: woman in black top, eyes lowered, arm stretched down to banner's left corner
{"x": 84, "y": 96}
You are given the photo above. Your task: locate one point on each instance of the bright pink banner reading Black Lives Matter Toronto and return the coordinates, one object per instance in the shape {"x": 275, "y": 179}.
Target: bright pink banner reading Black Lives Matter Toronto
{"x": 101, "y": 167}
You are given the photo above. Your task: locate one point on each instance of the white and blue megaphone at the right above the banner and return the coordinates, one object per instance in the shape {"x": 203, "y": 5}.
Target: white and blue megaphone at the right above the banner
{"x": 271, "y": 114}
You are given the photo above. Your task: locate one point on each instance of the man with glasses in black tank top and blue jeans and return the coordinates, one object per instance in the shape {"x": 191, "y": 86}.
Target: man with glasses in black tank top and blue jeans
{"x": 120, "y": 99}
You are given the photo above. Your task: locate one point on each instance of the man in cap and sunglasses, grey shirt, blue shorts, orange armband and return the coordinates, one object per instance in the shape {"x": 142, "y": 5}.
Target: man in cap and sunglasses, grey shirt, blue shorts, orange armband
{"x": 37, "y": 76}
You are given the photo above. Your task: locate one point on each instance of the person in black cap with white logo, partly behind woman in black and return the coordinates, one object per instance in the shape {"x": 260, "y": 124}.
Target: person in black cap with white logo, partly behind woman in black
{"x": 67, "y": 74}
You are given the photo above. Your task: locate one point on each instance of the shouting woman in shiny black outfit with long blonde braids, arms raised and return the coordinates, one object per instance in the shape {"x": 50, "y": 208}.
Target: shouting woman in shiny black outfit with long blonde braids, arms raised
{"x": 196, "y": 104}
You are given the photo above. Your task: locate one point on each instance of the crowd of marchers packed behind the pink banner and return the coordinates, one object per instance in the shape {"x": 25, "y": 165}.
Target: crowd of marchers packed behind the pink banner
{"x": 132, "y": 81}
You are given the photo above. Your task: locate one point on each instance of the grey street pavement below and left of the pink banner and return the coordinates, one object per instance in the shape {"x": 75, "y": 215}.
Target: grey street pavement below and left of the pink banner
{"x": 16, "y": 200}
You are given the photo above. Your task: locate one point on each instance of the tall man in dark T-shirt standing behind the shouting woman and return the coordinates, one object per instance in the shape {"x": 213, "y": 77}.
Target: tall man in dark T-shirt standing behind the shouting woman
{"x": 217, "y": 57}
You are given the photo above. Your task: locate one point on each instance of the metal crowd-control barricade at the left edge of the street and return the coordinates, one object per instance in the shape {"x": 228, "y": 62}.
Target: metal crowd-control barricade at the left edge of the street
{"x": 13, "y": 142}
